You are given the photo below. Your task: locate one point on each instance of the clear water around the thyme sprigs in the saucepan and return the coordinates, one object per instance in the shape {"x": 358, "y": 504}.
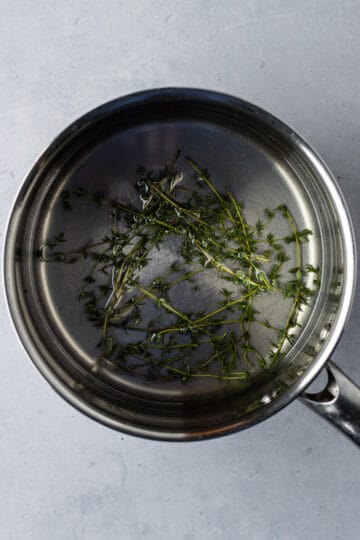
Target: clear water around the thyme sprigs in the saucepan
{"x": 256, "y": 175}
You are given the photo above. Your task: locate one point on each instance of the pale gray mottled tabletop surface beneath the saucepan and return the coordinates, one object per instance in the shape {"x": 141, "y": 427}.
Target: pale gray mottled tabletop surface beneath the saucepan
{"x": 65, "y": 477}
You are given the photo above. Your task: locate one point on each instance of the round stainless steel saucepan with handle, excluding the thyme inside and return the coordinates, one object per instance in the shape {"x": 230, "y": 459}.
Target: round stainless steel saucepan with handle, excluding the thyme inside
{"x": 264, "y": 163}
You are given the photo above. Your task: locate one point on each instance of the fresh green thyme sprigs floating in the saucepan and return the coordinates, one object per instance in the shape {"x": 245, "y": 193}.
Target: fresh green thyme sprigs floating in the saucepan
{"x": 143, "y": 327}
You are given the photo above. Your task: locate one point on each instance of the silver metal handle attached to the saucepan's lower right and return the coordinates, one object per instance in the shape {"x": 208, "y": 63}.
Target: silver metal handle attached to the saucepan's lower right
{"x": 339, "y": 402}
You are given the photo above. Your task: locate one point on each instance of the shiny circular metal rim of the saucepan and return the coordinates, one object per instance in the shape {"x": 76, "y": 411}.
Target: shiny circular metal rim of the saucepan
{"x": 349, "y": 256}
